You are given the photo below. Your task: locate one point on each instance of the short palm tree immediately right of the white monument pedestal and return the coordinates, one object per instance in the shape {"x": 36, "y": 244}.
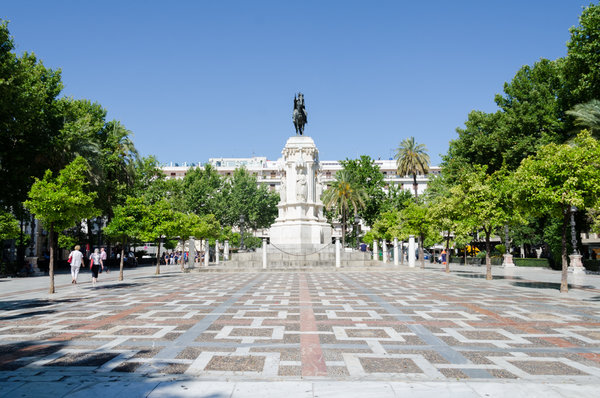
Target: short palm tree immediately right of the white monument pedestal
{"x": 344, "y": 196}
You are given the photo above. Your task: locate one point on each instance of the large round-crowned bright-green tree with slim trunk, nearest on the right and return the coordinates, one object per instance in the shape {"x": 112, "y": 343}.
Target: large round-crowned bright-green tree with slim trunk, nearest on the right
{"x": 557, "y": 178}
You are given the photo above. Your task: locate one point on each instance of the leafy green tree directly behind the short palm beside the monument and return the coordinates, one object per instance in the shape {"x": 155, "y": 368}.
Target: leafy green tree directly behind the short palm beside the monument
{"x": 366, "y": 174}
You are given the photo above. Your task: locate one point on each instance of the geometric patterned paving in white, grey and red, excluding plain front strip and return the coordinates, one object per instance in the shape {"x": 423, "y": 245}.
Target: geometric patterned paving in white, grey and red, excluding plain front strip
{"x": 403, "y": 325}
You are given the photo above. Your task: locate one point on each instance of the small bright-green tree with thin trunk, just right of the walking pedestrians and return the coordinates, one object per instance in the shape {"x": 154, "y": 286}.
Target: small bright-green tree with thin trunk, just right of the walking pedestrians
{"x": 125, "y": 225}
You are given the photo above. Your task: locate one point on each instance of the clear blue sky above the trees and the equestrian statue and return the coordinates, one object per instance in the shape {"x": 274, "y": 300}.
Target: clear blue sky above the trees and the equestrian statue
{"x": 201, "y": 79}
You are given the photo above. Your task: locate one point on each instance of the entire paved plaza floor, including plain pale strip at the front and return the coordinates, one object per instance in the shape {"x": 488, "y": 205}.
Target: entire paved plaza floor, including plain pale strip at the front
{"x": 379, "y": 333}
